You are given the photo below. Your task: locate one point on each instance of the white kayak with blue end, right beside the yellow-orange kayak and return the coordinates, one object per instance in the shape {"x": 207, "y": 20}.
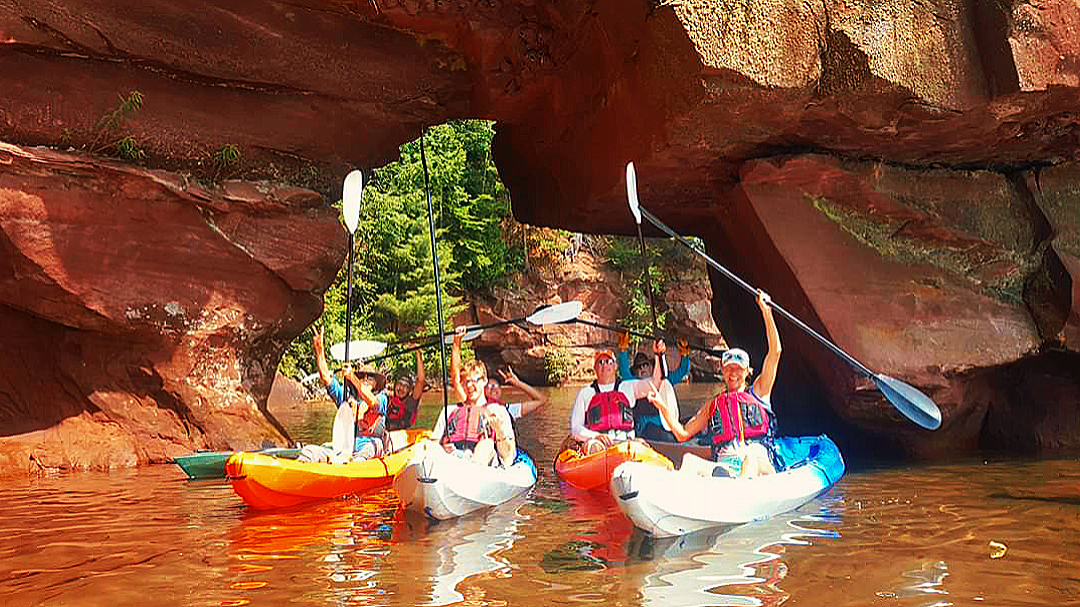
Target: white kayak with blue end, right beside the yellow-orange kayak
{"x": 444, "y": 485}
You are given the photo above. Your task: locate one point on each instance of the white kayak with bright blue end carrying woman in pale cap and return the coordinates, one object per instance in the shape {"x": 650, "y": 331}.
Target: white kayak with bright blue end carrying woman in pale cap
{"x": 669, "y": 504}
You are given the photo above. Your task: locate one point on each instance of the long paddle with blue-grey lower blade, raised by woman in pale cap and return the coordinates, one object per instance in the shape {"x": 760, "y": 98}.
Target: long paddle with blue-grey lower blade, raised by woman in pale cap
{"x": 914, "y": 404}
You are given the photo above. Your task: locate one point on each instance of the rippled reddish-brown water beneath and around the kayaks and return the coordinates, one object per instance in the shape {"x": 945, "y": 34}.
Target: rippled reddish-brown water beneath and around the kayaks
{"x": 899, "y": 537}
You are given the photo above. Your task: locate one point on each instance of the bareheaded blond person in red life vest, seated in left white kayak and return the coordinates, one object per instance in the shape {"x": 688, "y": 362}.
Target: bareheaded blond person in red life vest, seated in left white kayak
{"x": 472, "y": 427}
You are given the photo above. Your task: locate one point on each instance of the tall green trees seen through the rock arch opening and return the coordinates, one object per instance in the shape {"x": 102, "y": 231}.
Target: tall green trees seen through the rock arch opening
{"x": 394, "y": 294}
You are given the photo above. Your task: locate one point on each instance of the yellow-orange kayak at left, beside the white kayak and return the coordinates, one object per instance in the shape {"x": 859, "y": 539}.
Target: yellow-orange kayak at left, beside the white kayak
{"x": 266, "y": 482}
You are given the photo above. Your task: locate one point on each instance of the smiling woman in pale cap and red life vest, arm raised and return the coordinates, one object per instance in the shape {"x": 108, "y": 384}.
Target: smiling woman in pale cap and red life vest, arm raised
{"x": 739, "y": 421}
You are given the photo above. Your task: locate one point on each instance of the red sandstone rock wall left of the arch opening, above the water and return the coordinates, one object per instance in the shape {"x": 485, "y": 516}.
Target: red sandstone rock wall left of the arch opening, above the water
{"x": 144, "y": 314}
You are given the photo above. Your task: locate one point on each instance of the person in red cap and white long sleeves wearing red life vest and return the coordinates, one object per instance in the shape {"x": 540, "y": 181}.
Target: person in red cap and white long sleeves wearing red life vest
{"x": 603, "y": 412}
